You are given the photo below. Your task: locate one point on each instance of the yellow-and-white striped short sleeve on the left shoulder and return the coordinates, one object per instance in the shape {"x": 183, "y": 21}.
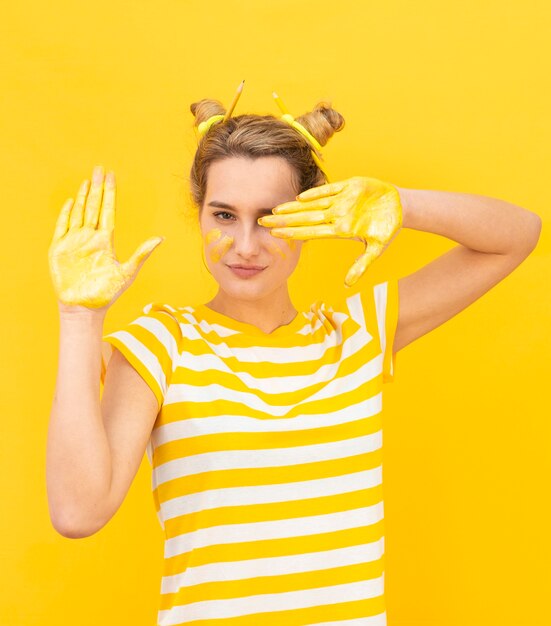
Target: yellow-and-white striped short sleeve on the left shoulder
{"x": 150, "y": 343}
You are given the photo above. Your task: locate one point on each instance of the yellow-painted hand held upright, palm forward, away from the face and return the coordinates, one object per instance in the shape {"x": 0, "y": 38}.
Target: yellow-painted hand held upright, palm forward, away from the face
{"x": 84, "y": 269}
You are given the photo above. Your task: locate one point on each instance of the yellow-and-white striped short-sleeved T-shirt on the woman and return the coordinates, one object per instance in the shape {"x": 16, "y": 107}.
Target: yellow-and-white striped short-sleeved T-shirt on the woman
{"x": 266, "y": 460}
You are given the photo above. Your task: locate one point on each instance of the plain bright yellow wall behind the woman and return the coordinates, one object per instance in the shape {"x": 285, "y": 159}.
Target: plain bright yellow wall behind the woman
{"x": 436, "y": 95}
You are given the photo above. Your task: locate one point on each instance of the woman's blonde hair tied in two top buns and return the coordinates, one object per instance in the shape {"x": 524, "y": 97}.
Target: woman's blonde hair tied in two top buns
{"x": 256, "y": 136}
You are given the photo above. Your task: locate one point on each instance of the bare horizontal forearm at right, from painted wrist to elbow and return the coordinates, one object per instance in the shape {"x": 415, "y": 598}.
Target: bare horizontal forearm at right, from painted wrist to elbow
{"x": 477, "y": 222}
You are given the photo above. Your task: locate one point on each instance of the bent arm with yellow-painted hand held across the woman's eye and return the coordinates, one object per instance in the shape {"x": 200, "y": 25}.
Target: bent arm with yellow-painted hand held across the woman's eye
{"x": 494, "y": 236}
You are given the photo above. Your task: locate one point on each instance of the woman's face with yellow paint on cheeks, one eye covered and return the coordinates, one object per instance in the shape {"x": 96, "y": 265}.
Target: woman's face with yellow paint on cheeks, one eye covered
{"x": 239, "y": 191}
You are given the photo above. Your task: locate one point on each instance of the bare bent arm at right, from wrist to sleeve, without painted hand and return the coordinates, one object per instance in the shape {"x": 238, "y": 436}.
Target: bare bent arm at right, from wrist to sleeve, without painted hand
{"x": 494, "y": 237}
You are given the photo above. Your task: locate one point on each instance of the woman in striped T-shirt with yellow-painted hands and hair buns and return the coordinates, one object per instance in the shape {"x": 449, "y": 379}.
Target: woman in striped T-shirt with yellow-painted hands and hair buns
{"x": 262, "y": 423}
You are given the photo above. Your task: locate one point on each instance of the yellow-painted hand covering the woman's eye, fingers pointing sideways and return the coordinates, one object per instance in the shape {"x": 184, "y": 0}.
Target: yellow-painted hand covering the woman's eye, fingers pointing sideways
{"x": 361, "y": 208}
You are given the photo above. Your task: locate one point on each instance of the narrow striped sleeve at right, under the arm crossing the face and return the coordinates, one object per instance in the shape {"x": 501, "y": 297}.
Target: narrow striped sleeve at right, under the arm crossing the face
{"x": 385, "y": 295}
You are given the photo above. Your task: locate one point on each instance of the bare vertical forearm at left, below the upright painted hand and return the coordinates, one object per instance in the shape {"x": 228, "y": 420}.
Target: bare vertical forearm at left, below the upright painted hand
{"x": 78, "y": 459}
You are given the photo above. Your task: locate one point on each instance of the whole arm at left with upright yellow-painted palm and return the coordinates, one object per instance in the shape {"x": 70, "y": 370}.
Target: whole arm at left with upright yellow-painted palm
{"x": 94, "y": 449}
